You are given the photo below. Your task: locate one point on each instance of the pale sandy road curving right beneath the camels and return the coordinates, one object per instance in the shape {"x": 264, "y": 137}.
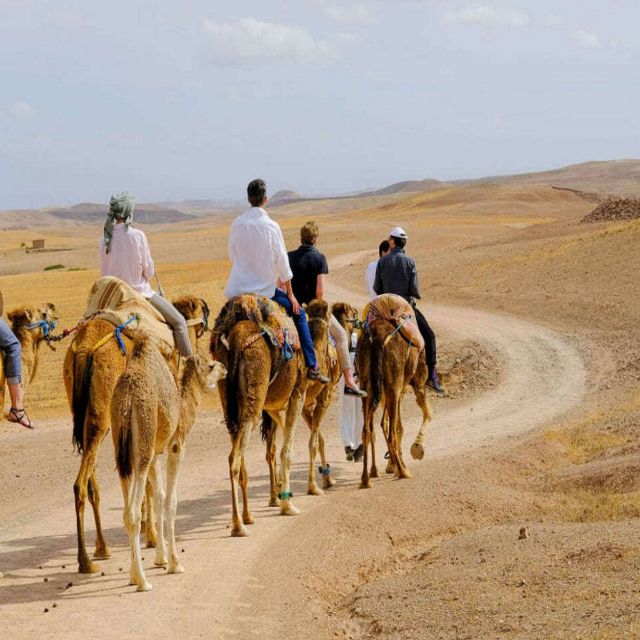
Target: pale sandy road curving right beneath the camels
{"x": 218, "y": 595}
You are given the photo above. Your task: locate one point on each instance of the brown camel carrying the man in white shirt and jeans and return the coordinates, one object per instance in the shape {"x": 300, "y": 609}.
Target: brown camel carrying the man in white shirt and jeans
{"x": 262, "y": 384}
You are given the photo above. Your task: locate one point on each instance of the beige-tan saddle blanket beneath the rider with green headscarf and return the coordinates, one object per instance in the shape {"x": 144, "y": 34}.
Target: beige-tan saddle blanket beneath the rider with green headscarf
{"x": 113, "y": 300}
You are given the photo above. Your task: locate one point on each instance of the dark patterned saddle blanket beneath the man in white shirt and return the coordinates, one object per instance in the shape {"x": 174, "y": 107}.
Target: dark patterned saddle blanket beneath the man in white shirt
{"x": 271, "y": 318}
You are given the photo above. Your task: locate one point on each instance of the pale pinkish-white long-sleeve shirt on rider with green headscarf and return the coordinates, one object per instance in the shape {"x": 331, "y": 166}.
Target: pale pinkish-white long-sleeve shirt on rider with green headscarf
{"x": 129, "y": 259}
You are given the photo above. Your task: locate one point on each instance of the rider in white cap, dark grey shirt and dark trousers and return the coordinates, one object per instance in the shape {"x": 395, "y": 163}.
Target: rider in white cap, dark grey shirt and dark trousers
{"x": 396, "y": 273}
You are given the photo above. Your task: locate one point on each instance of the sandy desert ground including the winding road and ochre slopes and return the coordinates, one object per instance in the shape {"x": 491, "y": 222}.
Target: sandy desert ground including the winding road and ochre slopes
{"x": 538, "y": 324}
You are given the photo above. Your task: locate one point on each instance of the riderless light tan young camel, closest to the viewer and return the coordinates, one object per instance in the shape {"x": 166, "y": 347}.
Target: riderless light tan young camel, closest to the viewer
{"x": 150, "y": 414}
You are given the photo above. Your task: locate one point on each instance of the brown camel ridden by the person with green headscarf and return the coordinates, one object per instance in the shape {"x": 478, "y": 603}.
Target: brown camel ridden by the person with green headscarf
{"x": 92, "y": 366}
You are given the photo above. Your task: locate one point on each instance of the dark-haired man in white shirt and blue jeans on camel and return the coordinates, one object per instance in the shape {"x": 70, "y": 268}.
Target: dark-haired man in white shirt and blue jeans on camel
{"x": 259, "y": 260}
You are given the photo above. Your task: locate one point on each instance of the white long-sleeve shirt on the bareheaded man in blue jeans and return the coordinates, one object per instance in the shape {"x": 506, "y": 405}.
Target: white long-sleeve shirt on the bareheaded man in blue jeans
{"x": 258, "y": 255}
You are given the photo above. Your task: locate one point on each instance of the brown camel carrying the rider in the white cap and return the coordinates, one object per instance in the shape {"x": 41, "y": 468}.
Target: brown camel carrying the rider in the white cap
{"x": 388, "y": 365}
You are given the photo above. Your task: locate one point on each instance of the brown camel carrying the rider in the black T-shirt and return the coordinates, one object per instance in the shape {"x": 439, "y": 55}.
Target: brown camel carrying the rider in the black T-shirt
{"x": 318, "y": 396}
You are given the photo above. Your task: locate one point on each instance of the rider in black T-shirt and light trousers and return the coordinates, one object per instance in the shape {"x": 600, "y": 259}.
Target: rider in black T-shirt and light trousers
{"x": 310, "y": 269}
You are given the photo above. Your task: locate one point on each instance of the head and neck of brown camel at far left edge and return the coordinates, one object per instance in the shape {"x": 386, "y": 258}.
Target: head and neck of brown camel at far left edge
{"x": 32, "y": 326}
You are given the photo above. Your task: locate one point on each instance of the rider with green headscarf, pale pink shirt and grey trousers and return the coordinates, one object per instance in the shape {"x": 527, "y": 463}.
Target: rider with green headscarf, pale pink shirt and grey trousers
{"x": 124, "y": 253}
